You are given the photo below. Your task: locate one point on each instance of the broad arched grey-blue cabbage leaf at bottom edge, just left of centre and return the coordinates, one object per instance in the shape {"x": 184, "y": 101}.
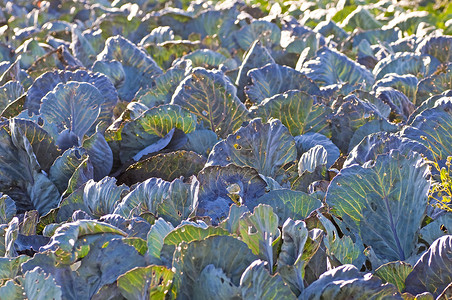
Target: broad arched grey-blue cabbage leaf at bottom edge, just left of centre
{"x": 224, "y": 252}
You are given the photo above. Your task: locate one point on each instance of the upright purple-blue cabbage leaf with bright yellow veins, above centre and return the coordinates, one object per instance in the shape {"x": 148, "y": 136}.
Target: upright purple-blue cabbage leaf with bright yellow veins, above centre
{"x": 212, "y": 98}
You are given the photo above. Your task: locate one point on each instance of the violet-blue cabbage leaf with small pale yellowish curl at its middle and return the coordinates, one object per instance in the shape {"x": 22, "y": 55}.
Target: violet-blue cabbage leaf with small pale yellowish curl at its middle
{"x": 219, "y": 184}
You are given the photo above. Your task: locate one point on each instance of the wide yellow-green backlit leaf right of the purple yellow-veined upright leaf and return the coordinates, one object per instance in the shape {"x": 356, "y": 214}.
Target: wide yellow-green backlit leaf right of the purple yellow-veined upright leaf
{"x": 297, "y": 111}
